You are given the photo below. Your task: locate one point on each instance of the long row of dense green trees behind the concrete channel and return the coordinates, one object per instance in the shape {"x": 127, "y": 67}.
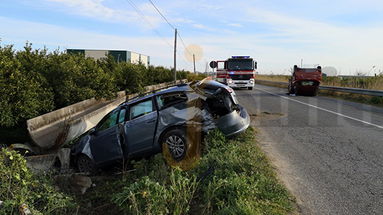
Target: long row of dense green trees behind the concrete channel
{"x": 34, "y": 82}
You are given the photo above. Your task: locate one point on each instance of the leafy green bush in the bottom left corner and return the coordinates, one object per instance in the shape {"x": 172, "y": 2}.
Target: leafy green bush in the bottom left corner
{"x": 19, "y": 186}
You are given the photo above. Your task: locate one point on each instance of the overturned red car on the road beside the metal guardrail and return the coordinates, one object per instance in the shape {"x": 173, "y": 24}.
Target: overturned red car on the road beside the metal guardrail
{"x": 305, "y": 81}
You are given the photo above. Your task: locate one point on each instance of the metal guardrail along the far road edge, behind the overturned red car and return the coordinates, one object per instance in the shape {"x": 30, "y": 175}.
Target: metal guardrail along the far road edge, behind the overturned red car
{"x": 330, "y": 88}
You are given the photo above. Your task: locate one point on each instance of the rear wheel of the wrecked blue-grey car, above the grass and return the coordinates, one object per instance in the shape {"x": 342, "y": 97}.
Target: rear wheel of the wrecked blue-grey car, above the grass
{"x": 176, "y": 143}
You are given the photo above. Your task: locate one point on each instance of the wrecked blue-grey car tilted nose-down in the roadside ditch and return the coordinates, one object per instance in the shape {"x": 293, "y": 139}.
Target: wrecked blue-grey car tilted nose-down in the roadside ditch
{"x": 167, "y": 119}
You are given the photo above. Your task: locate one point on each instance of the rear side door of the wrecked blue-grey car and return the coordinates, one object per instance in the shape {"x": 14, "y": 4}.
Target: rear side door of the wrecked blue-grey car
{"x": 140, "y": 129}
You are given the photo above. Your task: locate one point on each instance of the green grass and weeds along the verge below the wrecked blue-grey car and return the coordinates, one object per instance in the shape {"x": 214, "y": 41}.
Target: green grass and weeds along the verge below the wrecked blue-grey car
{"x": 233, "y": 176}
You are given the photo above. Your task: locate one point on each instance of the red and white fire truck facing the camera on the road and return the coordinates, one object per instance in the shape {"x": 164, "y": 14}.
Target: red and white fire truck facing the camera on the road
{"x": 236, "y": 72}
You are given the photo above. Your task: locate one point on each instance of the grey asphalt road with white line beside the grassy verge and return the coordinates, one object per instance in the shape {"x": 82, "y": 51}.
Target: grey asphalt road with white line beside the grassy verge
{"x": 329, "y": 152}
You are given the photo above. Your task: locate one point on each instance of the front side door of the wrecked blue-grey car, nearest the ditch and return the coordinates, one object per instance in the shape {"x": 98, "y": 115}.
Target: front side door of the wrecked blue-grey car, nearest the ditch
{"x": 105, "y": 140}
